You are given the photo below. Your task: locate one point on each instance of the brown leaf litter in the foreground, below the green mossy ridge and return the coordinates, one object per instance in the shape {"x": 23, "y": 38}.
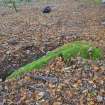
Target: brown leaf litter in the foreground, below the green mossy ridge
{"x": 76, "y": 82}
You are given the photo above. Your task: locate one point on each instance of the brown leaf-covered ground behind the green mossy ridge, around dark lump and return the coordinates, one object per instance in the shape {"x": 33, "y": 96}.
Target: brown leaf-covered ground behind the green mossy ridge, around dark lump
{"x": 29, "y": 34}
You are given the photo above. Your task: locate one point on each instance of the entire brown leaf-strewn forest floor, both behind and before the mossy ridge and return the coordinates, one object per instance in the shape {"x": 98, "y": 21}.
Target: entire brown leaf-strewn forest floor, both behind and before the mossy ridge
{"x": 30, "y": 34}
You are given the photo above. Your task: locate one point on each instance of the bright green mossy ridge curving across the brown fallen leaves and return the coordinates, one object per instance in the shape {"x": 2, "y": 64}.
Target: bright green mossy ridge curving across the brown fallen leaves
{"x": 78, "y": 48}
